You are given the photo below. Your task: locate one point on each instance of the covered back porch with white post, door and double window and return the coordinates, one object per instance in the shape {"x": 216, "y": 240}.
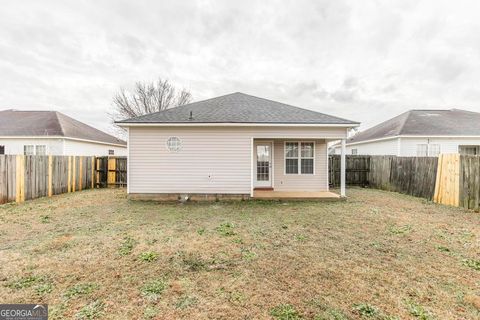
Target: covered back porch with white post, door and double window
{"x": 293, "y": 168}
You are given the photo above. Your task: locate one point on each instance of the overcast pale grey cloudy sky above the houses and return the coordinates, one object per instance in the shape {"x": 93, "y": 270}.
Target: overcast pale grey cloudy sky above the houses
{"x": 362, "y": 60}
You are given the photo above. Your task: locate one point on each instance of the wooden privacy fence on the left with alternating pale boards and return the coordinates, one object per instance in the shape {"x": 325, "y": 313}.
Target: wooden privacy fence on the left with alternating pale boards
{"x": 29, "y": 177}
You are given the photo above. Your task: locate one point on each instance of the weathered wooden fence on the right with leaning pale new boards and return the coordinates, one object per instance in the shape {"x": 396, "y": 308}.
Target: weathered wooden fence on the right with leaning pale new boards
{"x": 450, "y": 179}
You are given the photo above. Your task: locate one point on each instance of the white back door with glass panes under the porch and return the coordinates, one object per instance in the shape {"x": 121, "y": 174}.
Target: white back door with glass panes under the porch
{"x": 263, "y": 164}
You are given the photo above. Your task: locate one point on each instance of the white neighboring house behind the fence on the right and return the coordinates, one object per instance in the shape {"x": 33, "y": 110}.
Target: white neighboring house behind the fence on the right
{"x": 420, "y": 133}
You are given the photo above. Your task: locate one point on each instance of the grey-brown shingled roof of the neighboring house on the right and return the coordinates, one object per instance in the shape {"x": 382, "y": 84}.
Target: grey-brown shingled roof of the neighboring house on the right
{"x": 452, "y": 122}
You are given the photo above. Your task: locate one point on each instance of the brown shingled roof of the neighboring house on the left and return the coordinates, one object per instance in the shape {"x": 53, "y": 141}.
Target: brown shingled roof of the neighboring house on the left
{"x": 50, "y": 123}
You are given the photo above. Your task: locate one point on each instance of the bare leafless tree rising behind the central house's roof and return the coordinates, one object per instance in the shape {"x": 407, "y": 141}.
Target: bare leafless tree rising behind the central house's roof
{"x": 148, "y": 98}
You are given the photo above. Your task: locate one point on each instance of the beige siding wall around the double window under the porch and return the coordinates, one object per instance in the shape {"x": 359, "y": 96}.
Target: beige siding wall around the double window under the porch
{"x": 301, "y": 182}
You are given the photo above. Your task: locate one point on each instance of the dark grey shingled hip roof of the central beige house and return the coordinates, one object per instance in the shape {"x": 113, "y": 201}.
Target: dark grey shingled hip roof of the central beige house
{"x": 238, "y": 108}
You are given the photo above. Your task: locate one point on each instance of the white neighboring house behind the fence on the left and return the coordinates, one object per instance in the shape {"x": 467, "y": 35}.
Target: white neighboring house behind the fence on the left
{"x": 53, "y": 133}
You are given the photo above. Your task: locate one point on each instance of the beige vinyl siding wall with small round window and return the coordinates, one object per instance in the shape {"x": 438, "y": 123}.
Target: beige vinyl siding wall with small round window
{"x": 211, "y": 160}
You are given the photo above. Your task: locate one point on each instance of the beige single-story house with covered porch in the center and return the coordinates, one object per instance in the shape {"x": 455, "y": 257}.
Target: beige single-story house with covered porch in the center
{"x": 235, "y": 146}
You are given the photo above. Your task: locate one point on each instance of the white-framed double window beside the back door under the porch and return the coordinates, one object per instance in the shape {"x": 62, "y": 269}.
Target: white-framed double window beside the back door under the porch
{"x": 299, "y": 157}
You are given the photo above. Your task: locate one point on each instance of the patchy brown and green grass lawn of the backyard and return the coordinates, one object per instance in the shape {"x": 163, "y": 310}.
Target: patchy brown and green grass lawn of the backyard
{"x": 379, "y": 255}
